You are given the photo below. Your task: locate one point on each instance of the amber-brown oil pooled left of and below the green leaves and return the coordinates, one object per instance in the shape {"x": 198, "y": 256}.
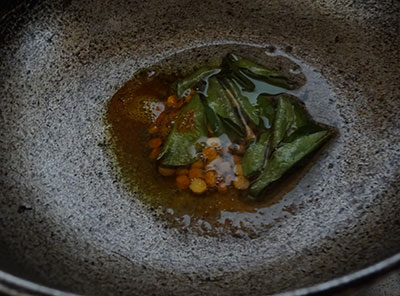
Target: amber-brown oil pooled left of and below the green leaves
{"x": 130, "y": 114}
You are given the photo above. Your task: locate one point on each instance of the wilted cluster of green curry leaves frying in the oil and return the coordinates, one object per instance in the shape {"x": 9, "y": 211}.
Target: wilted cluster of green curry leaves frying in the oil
{"x": 249, "y": 104}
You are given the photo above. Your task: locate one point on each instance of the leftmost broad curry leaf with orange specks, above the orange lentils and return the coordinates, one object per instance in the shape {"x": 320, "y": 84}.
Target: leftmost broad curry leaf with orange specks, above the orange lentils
{"x": 182, "y": 144}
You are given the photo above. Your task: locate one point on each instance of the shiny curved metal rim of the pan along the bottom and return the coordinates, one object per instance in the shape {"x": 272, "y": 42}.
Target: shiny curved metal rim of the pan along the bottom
{"x": 15, "y": 285}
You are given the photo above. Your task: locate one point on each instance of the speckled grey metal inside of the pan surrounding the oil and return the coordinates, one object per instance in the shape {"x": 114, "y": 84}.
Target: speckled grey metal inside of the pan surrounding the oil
{"x": 68, "y": 223}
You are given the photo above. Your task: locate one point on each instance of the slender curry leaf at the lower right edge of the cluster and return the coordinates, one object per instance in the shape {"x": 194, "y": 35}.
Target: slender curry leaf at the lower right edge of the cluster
{"x": 285, "y": 157}
